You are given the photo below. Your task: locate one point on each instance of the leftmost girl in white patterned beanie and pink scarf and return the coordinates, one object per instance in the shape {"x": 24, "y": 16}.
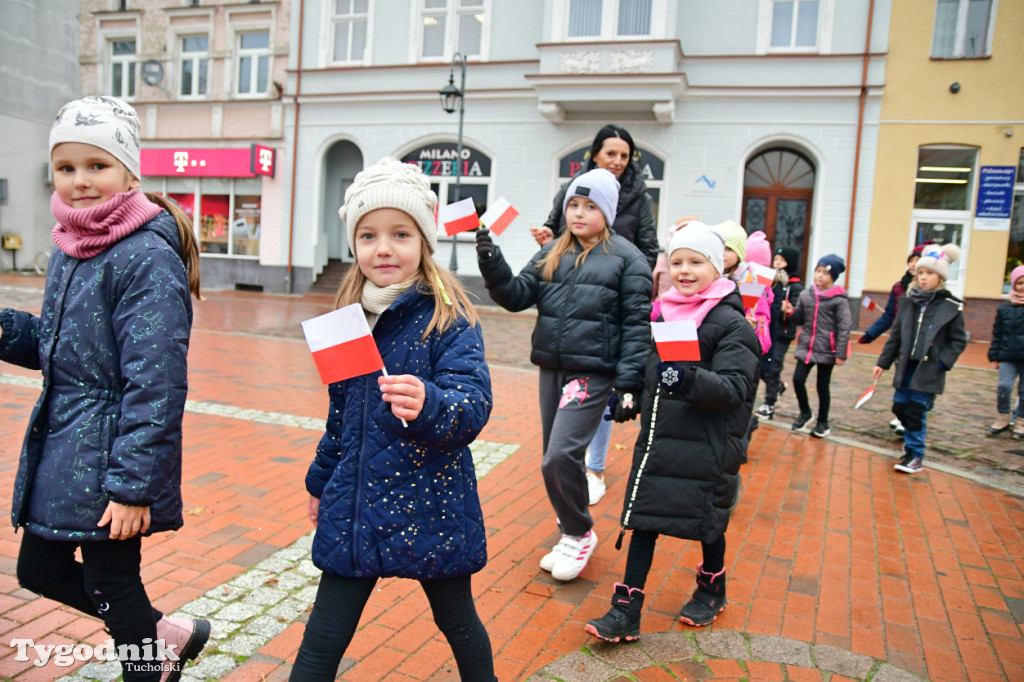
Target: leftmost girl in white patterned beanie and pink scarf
{"x": 101, "y": 465}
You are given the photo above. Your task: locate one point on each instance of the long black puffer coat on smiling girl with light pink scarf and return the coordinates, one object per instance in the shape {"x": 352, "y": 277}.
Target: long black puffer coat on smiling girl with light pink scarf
{"x": 686, "y": 474}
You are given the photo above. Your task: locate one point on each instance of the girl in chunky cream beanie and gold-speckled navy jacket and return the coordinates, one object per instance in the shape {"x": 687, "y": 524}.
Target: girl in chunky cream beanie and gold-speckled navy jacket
{"x": 393, "y": 490}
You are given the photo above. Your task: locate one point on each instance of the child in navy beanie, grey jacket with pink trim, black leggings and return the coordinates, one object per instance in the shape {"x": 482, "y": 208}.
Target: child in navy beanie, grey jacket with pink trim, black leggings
{"x": 825, "y": 315}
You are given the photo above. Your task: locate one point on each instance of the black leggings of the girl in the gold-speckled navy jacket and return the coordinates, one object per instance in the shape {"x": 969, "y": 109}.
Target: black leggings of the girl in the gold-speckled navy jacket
{"x": 339, "y": 606}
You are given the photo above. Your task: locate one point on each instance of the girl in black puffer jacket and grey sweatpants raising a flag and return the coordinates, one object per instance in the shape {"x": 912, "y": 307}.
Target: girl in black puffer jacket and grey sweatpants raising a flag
{"x": 592, "y": 290}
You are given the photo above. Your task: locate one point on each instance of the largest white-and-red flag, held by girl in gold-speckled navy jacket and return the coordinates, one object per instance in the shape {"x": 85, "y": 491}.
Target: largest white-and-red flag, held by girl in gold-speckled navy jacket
{"x": 343, "y": 346}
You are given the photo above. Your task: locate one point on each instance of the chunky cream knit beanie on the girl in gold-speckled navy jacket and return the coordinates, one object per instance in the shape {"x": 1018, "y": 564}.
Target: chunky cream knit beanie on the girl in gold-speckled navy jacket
{"x": 391, "y": 184}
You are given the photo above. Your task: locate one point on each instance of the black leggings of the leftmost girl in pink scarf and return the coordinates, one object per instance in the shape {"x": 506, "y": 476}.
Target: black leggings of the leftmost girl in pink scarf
{"x": 107, "y": 585}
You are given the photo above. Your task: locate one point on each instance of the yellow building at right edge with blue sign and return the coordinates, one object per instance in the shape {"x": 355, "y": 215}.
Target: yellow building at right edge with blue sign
{"x": 950, "y": 149}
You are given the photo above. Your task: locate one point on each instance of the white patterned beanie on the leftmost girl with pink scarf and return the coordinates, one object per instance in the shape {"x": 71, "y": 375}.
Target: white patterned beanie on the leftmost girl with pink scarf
{"x": 106, "y": 122}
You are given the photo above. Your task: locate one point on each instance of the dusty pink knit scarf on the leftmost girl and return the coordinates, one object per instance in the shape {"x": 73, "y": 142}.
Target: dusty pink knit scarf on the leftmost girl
{"x": 86, "y": 233}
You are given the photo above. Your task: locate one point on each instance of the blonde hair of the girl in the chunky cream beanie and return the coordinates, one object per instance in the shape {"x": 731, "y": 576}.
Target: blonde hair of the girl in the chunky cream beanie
{"x": 451, "y": 300}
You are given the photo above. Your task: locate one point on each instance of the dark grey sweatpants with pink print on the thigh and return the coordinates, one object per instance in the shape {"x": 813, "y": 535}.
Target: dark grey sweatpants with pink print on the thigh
{"x": 572, "y": 407}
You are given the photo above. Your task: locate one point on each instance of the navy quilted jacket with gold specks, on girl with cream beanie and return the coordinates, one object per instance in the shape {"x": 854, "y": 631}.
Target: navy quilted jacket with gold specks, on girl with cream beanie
{"x": 400, "y": 501}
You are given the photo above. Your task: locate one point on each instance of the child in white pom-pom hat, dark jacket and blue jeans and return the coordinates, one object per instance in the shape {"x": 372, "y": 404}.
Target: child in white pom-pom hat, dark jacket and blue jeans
{"x": 926, "y": 340}
